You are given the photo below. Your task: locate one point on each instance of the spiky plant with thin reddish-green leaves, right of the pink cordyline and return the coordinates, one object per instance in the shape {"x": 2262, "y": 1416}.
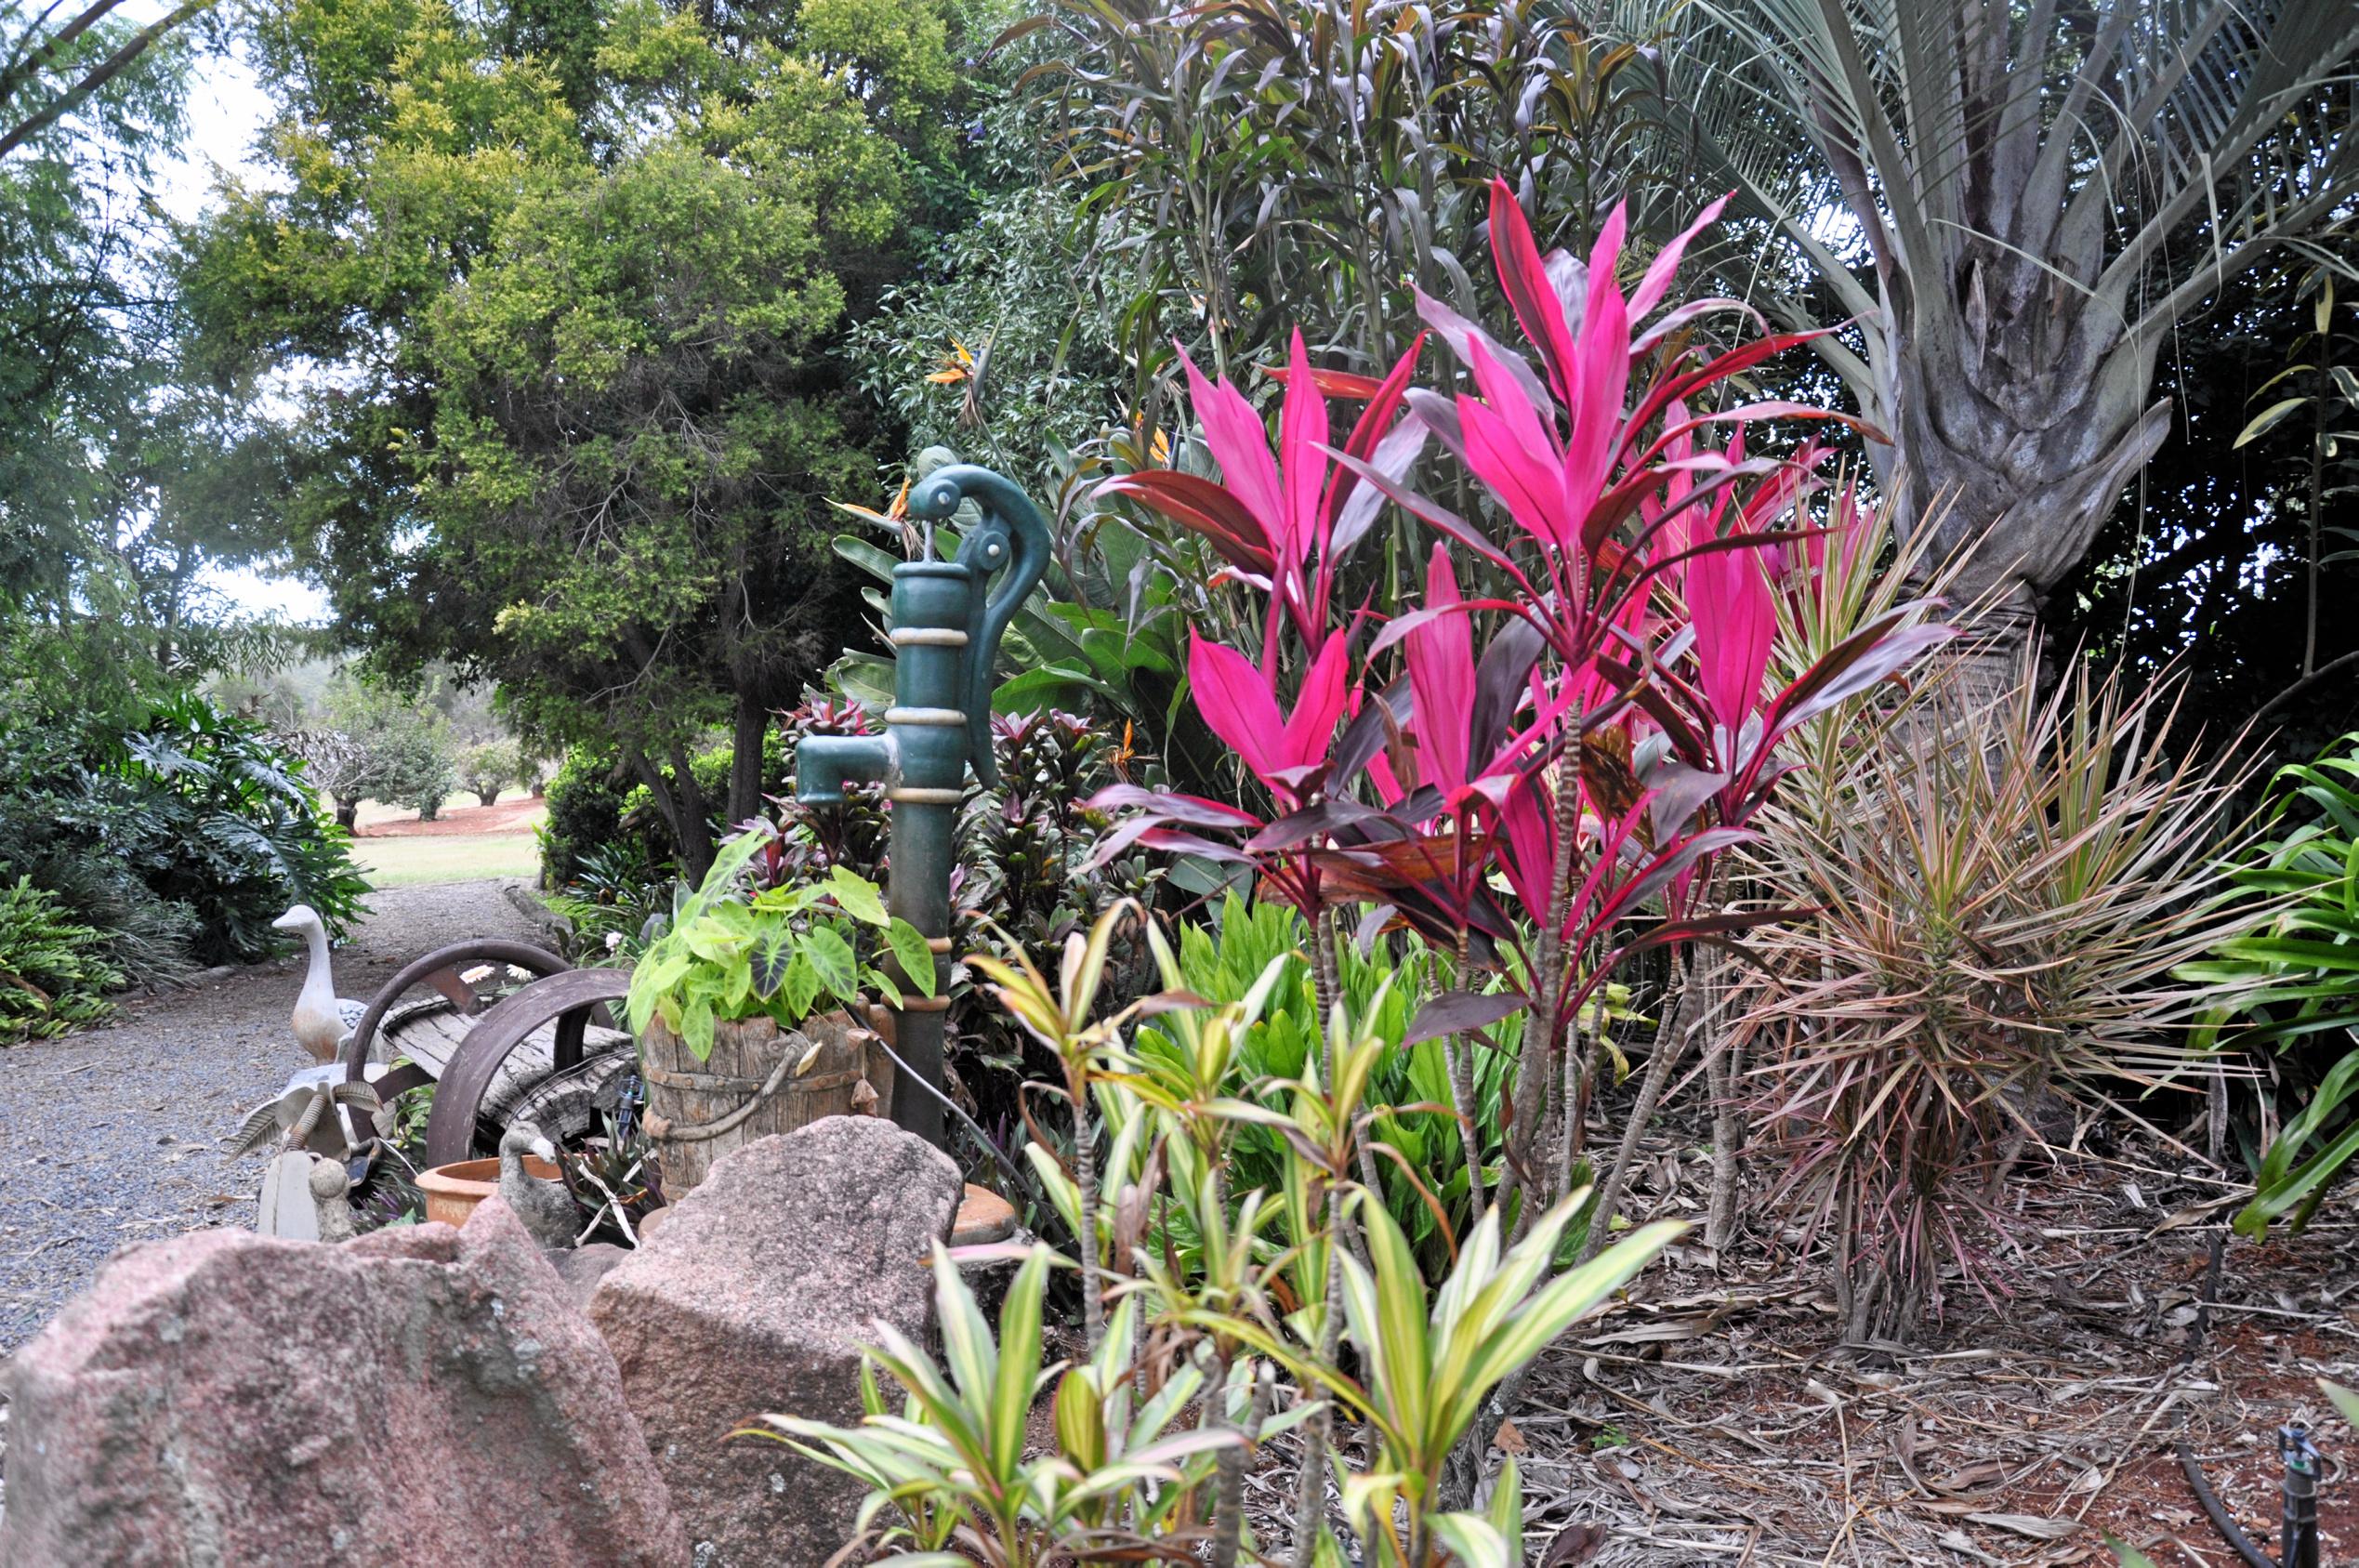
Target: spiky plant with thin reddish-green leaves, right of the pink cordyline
{"x": 1999, "y": 900}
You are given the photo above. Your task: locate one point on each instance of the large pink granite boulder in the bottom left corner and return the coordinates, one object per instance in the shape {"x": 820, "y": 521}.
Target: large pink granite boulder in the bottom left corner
{"x": 412, "y": 1397}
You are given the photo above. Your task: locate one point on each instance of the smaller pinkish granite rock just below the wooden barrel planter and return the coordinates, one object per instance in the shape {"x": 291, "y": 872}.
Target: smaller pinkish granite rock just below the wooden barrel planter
{"x": 756, "y": 1296}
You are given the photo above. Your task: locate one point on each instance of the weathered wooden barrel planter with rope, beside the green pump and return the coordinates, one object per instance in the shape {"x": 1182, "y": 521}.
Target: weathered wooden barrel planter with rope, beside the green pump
{"x": 751, "y": 1086}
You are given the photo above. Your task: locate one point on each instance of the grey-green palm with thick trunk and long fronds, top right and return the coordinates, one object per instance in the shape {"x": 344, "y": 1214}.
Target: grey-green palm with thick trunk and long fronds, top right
{"x": 2018, "y": 202}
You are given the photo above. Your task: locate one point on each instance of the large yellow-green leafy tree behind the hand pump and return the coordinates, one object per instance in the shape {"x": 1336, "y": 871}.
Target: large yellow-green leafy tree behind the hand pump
{"x": 577, "y": 284}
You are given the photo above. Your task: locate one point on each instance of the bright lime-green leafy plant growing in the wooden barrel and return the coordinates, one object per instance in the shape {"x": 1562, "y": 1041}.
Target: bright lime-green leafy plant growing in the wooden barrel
{"x": 740, "y": 951}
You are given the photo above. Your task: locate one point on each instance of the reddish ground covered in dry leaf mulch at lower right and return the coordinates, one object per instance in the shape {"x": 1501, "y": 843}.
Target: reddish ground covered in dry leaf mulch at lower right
{"x": 1719, "y": 1418}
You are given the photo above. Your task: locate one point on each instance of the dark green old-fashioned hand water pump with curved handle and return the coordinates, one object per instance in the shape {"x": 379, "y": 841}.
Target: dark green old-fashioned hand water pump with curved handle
{"x": 947, "y": 626}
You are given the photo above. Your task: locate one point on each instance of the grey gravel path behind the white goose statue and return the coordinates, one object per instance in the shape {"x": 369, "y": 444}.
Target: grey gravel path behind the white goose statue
{"x": 114, "y": 1135}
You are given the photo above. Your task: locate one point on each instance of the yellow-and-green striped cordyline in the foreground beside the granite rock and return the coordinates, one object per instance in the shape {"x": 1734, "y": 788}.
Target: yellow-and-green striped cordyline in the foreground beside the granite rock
{"x": 1216, "y": 1300}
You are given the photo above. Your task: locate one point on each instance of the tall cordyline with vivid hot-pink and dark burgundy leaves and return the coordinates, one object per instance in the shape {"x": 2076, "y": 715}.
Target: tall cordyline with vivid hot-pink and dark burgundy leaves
{"x": 1544, "y": 775}
